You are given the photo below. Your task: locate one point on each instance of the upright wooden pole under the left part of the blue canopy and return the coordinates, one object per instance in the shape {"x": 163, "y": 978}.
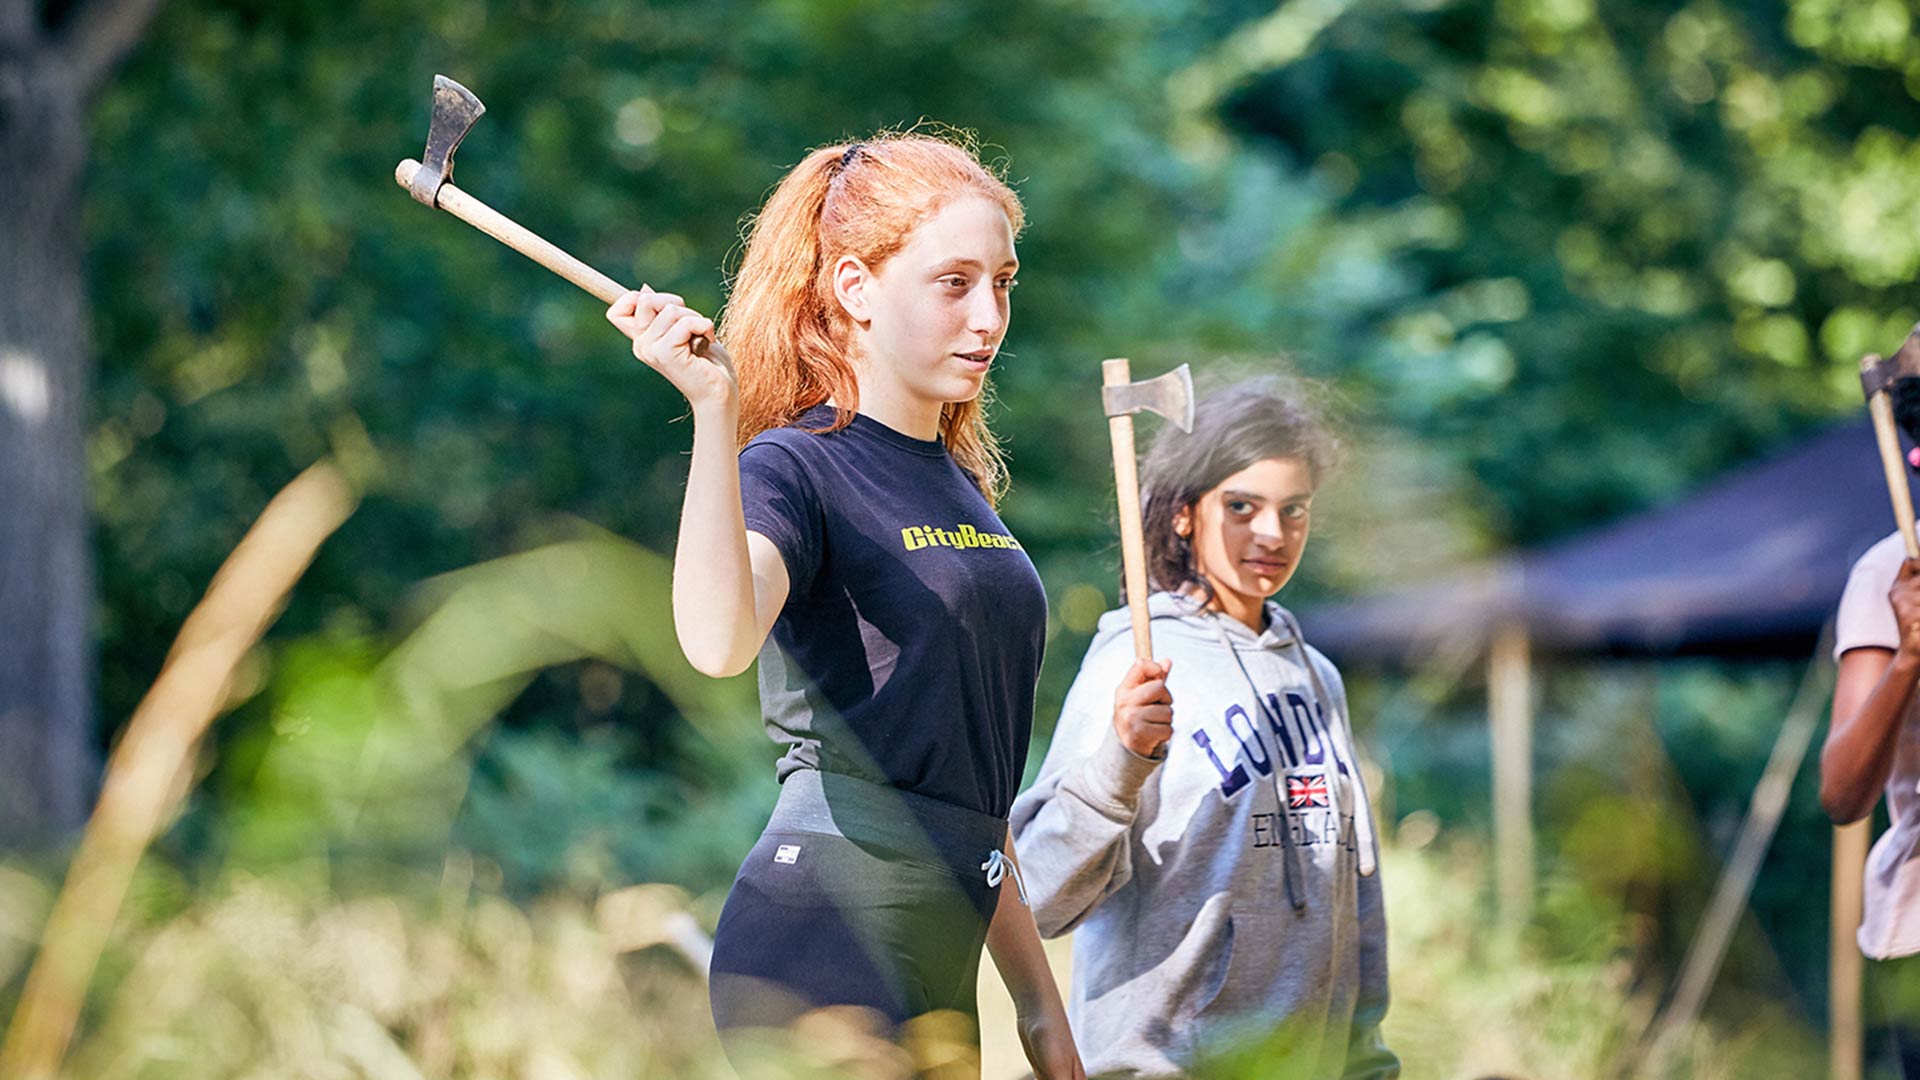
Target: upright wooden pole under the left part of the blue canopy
{"x": 1512, "y": 722}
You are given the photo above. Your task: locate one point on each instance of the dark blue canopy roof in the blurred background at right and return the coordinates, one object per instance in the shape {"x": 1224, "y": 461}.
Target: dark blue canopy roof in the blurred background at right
{"x": 1748, "y": 568}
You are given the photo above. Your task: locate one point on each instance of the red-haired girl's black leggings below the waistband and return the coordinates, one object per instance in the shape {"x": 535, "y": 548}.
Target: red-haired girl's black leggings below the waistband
{"x": 819, "y": 920}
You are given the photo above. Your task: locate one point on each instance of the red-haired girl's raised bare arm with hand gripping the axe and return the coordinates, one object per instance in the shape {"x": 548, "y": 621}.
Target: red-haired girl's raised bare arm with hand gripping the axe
{"x": 729, "y": 583}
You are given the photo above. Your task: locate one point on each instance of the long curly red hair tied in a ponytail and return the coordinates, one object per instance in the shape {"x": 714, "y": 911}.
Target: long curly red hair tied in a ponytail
{"x": 782, "y": 324}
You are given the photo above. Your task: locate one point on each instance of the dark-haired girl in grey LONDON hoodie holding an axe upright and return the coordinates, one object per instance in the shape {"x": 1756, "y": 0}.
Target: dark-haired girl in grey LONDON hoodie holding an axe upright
{"x": 1205, "y": 827}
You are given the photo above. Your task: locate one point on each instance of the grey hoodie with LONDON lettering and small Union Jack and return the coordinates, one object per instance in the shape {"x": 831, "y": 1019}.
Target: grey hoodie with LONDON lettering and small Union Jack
{"x": 1228, "y": 895}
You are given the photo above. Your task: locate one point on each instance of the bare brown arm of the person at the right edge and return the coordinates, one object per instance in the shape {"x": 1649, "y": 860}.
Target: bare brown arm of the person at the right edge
{"x": 1871, "y": 699}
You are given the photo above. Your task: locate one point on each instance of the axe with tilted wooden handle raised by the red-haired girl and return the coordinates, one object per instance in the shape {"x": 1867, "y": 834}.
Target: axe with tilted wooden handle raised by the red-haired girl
{"x": 456, "y": 110}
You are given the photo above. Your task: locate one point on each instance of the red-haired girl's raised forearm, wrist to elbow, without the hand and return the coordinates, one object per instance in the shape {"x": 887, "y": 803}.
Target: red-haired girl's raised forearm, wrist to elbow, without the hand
{"x": 713, "y": 576}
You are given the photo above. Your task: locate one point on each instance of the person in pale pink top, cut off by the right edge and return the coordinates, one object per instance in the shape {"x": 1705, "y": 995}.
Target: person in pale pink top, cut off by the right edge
{"x": 1875, "y": 745}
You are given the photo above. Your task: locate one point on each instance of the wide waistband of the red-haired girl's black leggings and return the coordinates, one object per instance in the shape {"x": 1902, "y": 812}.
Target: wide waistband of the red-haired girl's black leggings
{"x": 892, "y": 818}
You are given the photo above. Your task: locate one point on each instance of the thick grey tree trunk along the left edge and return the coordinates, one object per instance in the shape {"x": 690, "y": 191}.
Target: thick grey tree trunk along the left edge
{"x": 47, "y": 749}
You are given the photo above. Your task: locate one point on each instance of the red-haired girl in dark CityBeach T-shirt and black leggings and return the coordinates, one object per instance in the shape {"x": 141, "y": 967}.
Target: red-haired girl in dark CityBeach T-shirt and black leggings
{"x": 855, "y": 551}
